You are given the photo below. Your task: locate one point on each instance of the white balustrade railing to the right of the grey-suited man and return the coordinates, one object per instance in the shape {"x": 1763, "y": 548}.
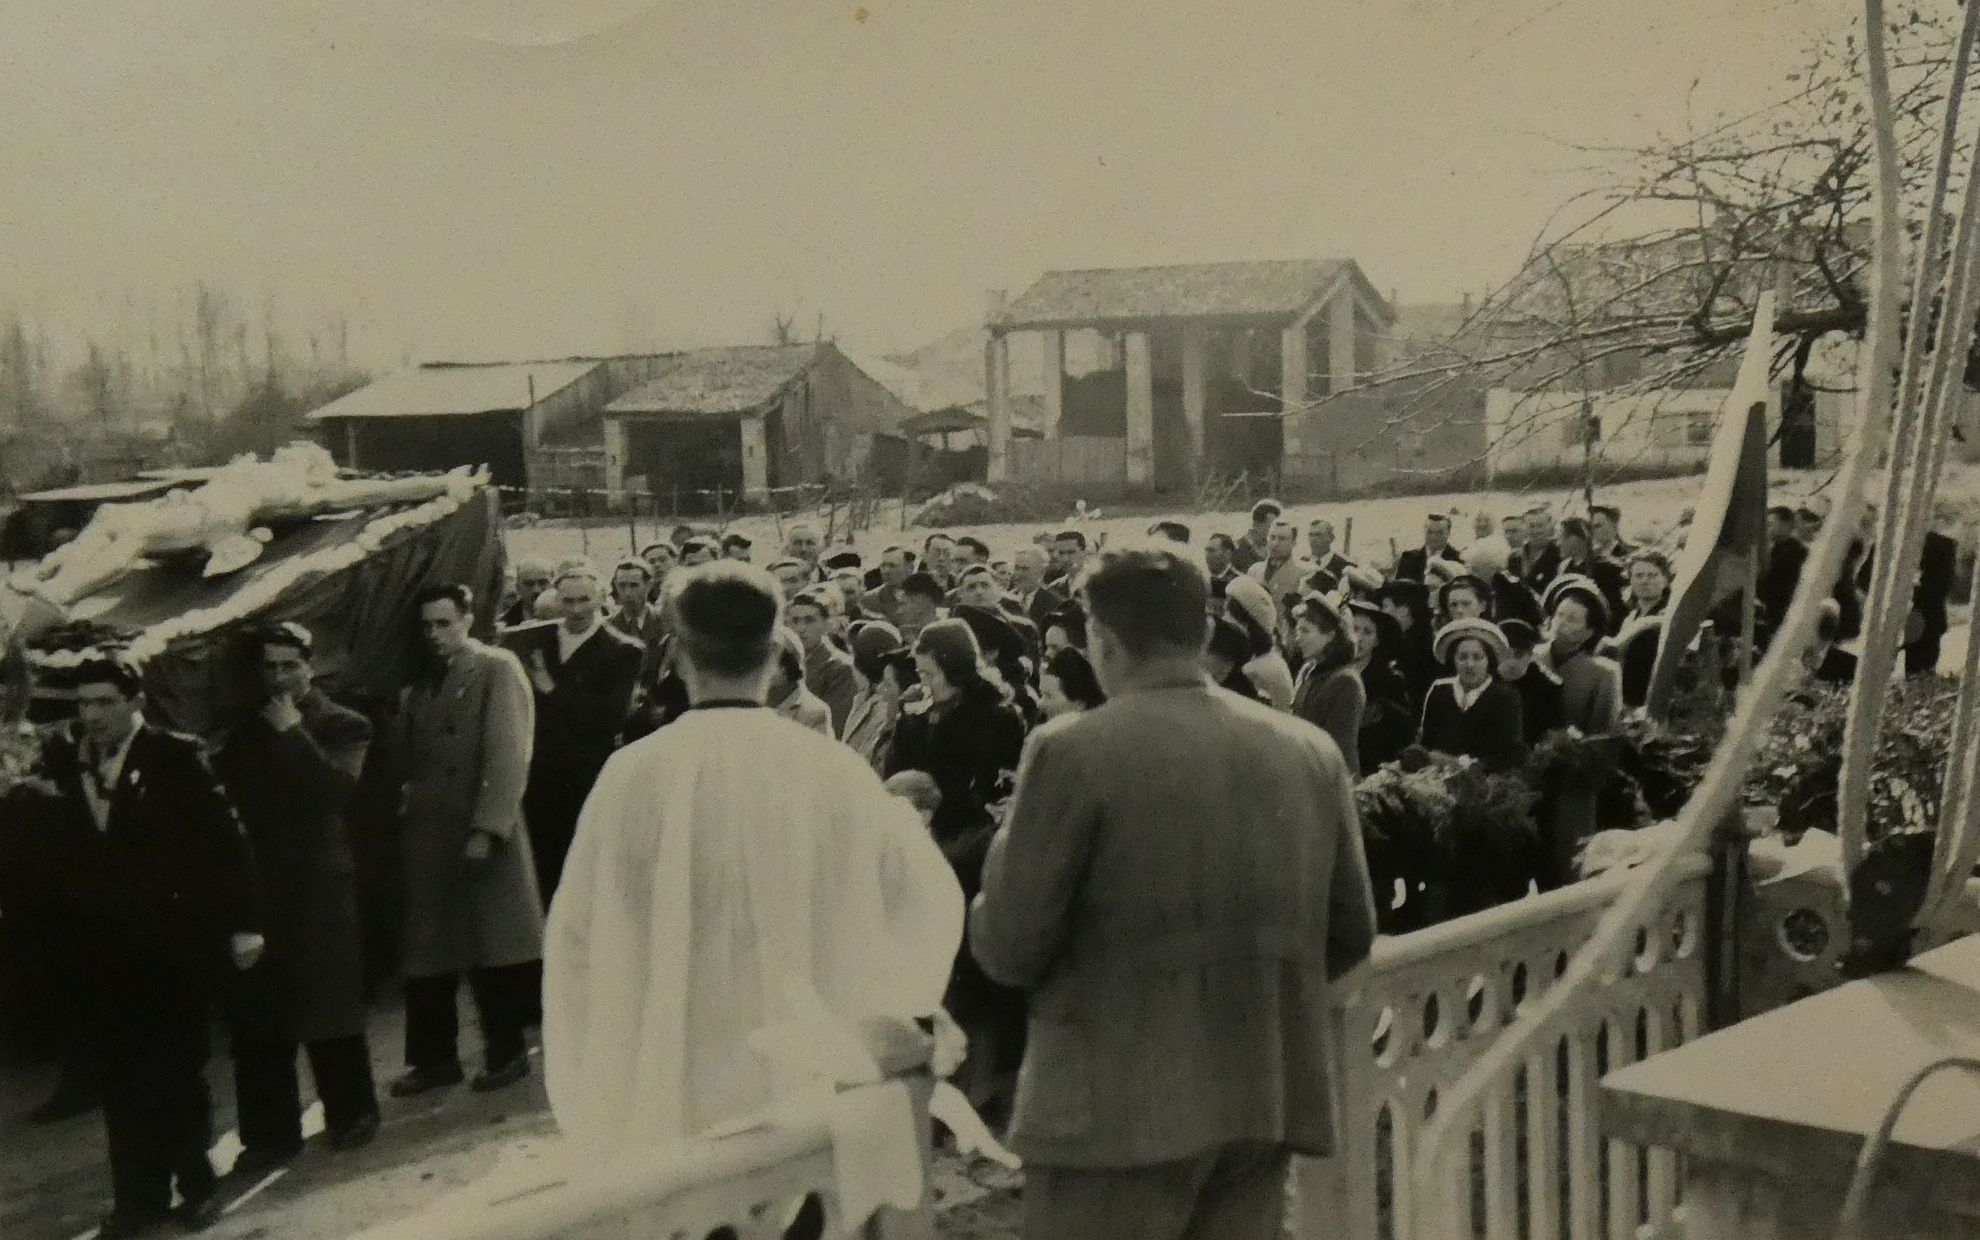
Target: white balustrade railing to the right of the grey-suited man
{"x": 1427, "y": 1005}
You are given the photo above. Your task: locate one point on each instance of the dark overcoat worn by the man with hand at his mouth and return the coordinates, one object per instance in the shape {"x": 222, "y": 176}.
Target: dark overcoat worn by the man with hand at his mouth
{"x": 292, "y": 791}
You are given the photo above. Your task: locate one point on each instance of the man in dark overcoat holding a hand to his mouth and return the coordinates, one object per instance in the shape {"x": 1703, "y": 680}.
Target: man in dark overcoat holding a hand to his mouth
{"x": 290, "y": 772}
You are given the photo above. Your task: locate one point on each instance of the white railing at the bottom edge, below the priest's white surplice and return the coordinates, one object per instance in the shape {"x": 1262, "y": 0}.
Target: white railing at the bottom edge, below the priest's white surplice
{"x": 743, "y": 1188}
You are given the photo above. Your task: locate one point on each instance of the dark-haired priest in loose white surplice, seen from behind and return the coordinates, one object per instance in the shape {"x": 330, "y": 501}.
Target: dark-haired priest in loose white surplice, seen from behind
{"x": 743, "y": 910}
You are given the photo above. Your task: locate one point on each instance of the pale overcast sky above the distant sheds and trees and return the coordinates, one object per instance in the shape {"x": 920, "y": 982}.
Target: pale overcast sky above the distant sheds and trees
{"x": 545, "y": 177}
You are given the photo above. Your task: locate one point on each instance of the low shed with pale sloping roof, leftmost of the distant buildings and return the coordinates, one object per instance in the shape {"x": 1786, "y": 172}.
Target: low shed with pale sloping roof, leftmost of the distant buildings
{"x": 510, "y": 417}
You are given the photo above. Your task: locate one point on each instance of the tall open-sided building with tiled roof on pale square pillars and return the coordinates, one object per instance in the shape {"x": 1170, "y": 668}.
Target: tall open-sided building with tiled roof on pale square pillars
{"x": 1213, "y": 367}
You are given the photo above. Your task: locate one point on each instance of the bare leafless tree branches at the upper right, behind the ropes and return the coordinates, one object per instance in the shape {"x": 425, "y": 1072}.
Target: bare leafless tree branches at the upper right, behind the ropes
{"x": 1648, "y": 282}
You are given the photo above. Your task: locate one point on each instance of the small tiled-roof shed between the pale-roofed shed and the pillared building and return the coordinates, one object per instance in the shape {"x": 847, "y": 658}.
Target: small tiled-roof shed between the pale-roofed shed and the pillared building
{"x": 751, "y": 421}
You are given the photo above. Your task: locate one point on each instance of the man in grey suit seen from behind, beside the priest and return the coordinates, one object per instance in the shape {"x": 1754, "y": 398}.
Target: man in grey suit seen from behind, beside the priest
{"x": 1177, "y": 884}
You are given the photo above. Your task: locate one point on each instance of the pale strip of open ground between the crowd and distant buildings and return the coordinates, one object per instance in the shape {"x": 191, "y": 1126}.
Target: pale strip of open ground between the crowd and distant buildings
{"x": 1648, "y": 510}
